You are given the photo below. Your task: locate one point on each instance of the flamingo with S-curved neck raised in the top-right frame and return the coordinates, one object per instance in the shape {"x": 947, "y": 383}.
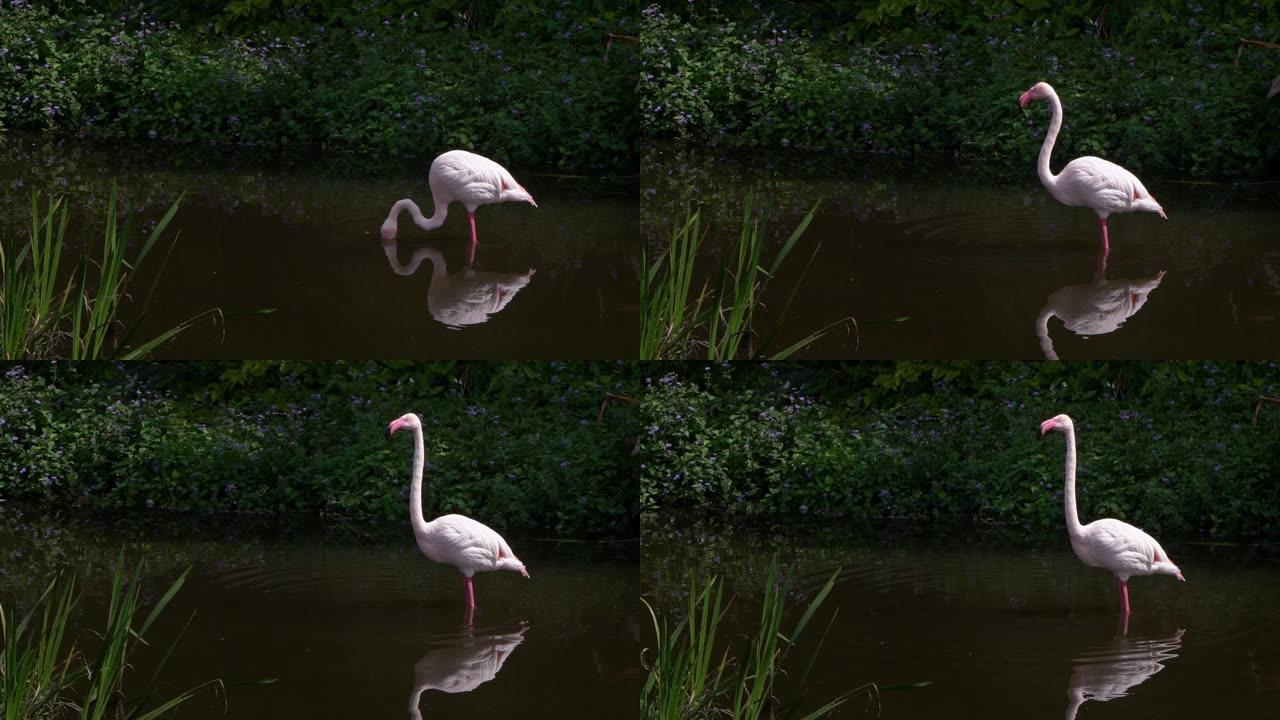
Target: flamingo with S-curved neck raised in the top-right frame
{"x": 1089, "y": 183}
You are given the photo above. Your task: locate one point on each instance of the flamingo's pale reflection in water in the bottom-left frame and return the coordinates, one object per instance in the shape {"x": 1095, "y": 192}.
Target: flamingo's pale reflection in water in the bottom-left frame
{"x": 464, "y": 666}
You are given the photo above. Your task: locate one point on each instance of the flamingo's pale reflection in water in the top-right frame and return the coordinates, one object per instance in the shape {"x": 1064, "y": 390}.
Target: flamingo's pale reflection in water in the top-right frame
{"x": 1094, "y": 309}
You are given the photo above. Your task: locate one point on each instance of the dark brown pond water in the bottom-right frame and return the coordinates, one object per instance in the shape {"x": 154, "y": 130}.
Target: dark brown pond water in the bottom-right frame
{"x": 998, "y": 625}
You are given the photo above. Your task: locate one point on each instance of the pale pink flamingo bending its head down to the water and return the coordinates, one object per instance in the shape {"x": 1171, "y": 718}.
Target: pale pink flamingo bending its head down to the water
{"x": 467, "y": 179}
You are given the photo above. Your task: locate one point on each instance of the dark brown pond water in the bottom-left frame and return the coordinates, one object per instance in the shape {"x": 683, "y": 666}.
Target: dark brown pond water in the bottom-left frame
{"x": 358, "y": 627}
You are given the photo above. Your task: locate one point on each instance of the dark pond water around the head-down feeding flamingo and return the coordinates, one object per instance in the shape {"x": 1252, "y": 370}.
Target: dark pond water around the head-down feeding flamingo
{"x": 299, "y": 234}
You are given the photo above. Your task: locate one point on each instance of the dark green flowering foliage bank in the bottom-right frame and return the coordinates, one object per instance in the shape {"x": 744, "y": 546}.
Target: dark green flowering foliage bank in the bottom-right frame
{"x": 1168, "y": 446}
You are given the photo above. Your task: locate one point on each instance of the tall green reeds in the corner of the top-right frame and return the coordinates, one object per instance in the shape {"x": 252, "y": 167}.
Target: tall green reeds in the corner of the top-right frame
{"x": 717, "y": 321}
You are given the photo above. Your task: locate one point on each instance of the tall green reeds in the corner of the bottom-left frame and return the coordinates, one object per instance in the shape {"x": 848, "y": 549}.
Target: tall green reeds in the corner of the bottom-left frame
{"x": 42, "y": 678}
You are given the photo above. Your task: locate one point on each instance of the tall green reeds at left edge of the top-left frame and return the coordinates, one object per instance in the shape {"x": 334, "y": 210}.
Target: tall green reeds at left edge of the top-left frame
{"x": 40, "y": 318}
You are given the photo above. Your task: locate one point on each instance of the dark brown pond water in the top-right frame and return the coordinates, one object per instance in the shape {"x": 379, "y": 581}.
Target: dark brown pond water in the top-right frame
{"x": 941, "y": 262}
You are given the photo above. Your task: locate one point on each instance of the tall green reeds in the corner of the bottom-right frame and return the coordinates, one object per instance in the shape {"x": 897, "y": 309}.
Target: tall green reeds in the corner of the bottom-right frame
{"x": 693, "y": 678}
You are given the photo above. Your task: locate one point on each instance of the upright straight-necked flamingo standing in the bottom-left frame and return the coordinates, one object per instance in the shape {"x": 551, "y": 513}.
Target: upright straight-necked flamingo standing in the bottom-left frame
{"x": 455, "y": 540}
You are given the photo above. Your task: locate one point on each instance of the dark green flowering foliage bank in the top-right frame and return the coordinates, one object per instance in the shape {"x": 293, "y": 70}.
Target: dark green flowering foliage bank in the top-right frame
{"x": 1164, "y": 97}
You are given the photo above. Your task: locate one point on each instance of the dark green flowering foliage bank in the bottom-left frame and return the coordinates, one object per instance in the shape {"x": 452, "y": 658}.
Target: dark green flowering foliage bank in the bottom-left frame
{"x": 522, "y": 445}
